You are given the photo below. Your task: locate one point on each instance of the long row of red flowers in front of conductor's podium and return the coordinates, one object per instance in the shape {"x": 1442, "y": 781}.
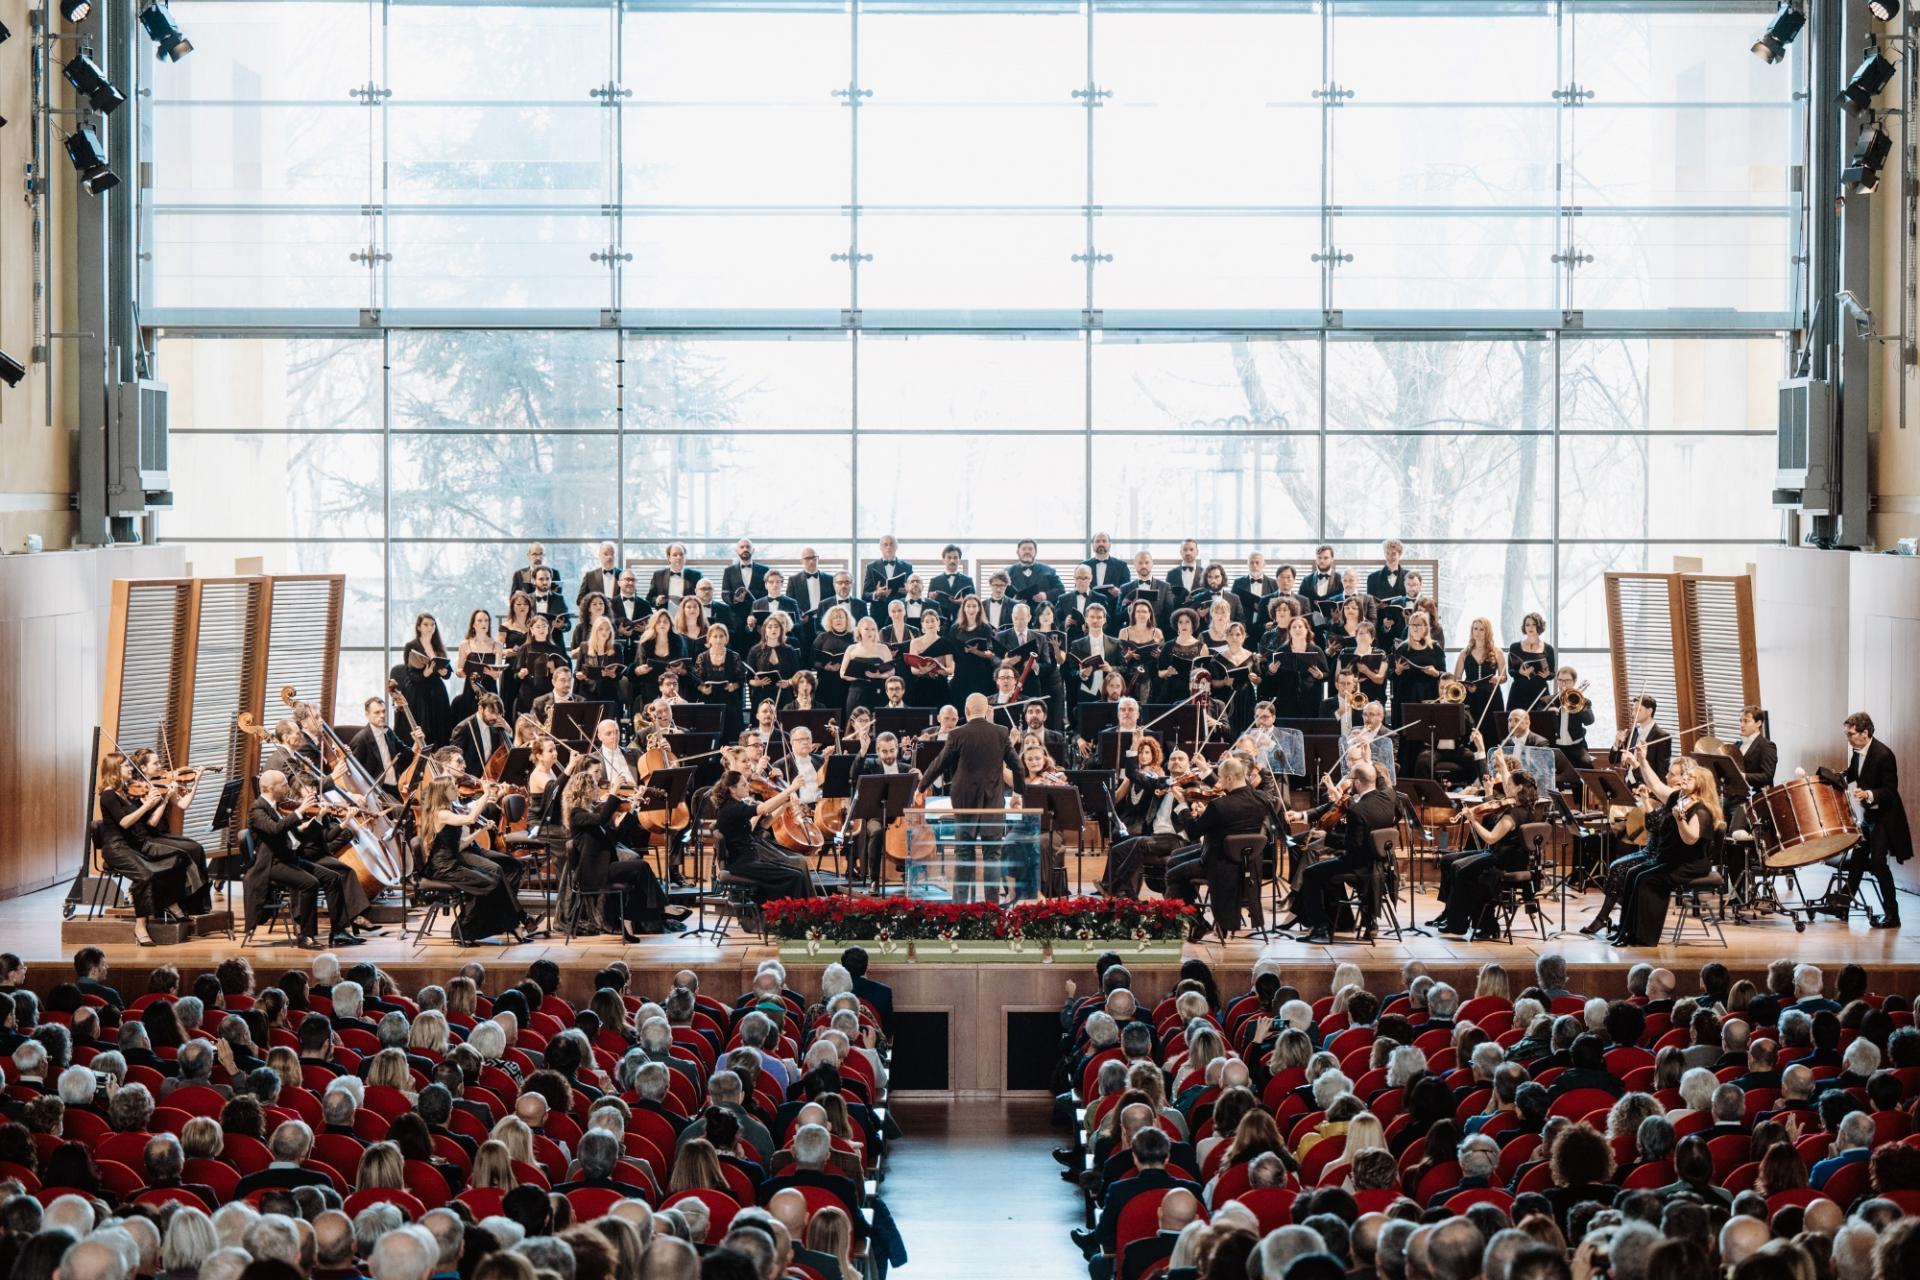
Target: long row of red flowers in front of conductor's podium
{"x": 905, "y": 920}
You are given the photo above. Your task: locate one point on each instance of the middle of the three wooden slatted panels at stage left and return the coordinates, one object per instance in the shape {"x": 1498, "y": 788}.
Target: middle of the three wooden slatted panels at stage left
{"x": 226, "y": 684}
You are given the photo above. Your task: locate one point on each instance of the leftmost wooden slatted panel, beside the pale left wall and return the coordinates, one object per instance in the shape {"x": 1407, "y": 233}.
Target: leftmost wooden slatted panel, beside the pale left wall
{"x": 147, "y": 657}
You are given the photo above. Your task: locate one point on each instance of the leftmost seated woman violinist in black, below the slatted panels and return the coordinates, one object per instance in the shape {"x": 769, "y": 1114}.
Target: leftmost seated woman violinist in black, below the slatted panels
{"x": 160, "y": 868}
